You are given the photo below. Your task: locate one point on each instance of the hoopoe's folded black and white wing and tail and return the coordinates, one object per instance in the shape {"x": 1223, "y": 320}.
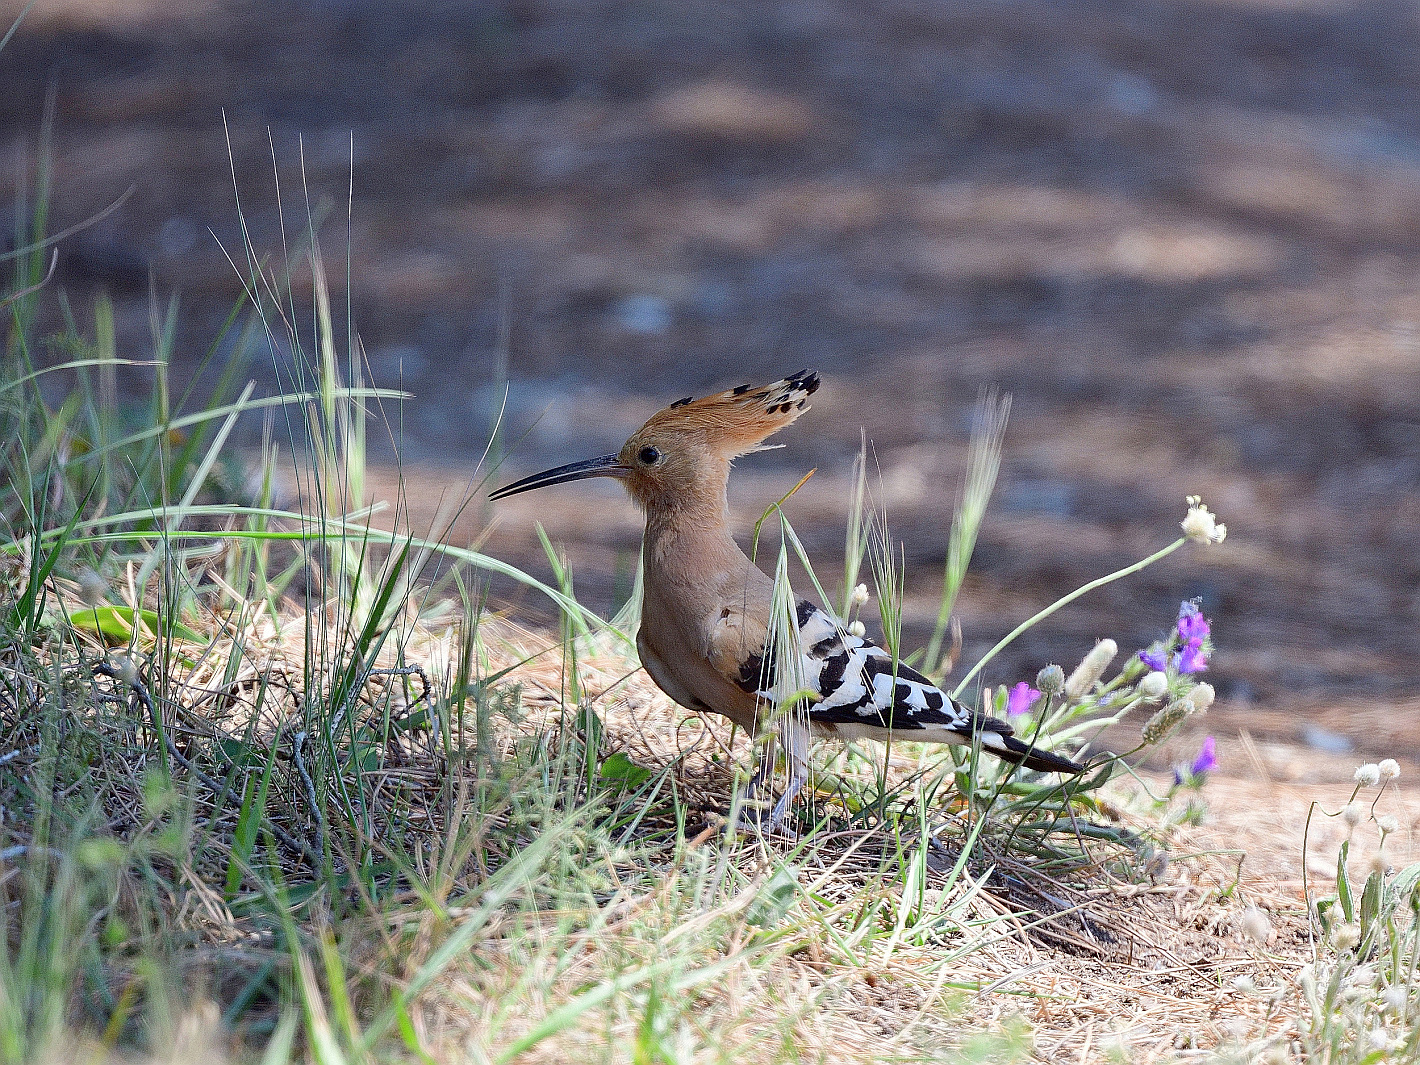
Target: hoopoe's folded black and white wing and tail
{"x": 863, "y": 692}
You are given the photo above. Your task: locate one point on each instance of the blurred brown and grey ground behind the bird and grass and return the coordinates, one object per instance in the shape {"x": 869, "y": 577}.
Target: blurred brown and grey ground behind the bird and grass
{"x": 1182, "y": 234}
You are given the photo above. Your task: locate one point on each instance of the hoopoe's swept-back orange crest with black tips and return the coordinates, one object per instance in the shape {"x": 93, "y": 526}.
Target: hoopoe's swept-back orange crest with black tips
{"x": 735, "y": 421}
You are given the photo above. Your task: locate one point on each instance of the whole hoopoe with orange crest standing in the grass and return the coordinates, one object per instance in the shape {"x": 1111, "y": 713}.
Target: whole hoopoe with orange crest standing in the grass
{"x": 708, "y": 611}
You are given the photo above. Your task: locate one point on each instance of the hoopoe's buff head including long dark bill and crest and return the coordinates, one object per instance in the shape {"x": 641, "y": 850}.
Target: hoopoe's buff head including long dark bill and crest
{"x": 685, "y": 451}
